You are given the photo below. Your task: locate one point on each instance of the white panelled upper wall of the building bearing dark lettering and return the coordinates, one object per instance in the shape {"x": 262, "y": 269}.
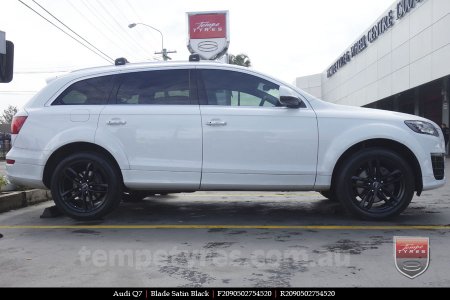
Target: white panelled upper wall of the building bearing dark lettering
{"x": 414, "y": 51}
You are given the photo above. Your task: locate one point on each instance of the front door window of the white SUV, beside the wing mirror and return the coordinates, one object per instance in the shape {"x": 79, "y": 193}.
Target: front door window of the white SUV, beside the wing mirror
{"x": 239, "y": 89}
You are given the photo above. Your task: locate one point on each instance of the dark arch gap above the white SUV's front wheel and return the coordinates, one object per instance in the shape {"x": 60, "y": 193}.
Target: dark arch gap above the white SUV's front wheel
{"x": 388, "y": 144}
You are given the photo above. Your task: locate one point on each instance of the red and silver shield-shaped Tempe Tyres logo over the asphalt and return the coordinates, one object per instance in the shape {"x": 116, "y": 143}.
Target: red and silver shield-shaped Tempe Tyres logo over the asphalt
{"x": 412, "y": 255}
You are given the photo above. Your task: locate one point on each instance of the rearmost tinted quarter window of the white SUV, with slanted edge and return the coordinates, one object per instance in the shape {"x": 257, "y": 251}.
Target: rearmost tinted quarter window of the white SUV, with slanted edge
{"x": 93, "y": 91}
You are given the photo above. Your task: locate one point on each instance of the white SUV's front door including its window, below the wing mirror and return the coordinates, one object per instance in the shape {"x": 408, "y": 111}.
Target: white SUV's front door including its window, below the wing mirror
{"x": 249, "y": 140}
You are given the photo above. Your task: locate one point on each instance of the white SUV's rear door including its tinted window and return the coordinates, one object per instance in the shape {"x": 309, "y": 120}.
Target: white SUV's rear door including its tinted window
{"x": 154, "y": 119}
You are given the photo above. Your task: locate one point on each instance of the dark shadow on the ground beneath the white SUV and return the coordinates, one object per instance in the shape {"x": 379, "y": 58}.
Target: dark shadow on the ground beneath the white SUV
{"x": 267, "y": 211}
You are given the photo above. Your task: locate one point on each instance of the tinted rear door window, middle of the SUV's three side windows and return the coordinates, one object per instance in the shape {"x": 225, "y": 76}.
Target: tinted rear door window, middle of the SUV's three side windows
{"x": 168, "y": 87}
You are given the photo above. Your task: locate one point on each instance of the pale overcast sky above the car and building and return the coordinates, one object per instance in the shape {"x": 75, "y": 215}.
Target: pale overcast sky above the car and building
{"x": 283, "y": 38}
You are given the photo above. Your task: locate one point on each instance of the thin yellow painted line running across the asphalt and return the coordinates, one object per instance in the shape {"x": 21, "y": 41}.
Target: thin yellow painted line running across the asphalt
{"x": 301, "y": 227}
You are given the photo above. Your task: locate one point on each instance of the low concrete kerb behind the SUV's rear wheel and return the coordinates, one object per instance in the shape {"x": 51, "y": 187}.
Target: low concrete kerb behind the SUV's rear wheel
{"x": 19, "y": 199}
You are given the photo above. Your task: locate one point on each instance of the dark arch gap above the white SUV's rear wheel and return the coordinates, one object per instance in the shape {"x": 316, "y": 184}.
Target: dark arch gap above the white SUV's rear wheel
{"x": 71, "y": 148}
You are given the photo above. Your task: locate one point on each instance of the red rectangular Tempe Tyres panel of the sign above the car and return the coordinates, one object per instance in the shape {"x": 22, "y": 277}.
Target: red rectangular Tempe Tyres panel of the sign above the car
{"x": 207, "y": 26}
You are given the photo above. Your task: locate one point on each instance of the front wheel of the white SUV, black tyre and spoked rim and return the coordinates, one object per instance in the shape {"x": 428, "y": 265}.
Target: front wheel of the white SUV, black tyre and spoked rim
{"x": 375, "y": 184}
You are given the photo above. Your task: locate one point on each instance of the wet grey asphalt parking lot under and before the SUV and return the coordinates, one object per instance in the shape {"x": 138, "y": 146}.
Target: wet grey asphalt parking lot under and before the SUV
{"x": 222, "y": 239}
